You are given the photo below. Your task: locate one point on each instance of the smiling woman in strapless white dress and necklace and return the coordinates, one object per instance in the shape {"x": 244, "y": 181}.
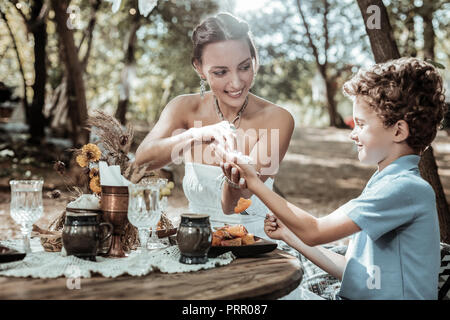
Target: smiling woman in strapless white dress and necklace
{"x": 228, "y": 117}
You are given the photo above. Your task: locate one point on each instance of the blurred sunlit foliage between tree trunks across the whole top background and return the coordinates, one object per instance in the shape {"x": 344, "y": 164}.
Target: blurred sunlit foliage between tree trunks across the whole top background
{"x": 163, "y": 50}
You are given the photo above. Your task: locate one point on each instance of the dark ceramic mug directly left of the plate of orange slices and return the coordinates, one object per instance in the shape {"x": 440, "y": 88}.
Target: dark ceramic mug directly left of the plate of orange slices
{"x": 194, "y": 238}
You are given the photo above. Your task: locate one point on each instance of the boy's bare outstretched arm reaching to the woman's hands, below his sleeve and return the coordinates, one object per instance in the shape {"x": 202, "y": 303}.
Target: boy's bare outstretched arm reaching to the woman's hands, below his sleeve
{"x": 307, "y": 228}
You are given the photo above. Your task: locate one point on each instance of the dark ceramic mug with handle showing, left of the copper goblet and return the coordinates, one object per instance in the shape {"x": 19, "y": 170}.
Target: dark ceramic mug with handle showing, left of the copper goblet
{"x": 82, "y": 234}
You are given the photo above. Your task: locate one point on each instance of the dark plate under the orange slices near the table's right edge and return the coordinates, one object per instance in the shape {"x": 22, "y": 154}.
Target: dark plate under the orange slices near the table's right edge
{"x": 259, "y": 247}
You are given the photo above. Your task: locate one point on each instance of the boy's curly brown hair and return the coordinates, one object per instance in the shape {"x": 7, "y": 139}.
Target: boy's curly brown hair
{"x": 403, "y": 89}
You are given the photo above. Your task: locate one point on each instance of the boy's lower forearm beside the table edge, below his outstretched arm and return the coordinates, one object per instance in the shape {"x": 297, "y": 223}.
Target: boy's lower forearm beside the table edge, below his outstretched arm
{"x": 329, "y": 261}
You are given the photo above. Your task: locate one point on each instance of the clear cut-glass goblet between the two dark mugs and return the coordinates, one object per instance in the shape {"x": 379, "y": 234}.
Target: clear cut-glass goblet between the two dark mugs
{"x": 143, "y": 209}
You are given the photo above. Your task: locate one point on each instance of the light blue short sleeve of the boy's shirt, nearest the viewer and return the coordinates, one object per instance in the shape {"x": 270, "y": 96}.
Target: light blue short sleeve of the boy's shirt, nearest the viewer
{"x": 387, "y": 208}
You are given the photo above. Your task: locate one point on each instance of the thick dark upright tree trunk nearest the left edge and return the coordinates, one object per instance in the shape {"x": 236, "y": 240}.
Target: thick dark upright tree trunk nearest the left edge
{"x": 38, "y": 28}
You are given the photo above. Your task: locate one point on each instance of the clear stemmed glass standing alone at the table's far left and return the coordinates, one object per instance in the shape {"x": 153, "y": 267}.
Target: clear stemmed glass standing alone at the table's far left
{"x": 26, "y": 206}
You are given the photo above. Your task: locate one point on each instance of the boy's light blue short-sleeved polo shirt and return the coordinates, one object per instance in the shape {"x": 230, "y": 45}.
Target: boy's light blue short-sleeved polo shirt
{"x": 396, "y": 254}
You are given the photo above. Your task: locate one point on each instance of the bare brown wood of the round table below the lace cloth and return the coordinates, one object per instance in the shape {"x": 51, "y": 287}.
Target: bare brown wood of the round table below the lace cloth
{"x": 267, "y": 276}
